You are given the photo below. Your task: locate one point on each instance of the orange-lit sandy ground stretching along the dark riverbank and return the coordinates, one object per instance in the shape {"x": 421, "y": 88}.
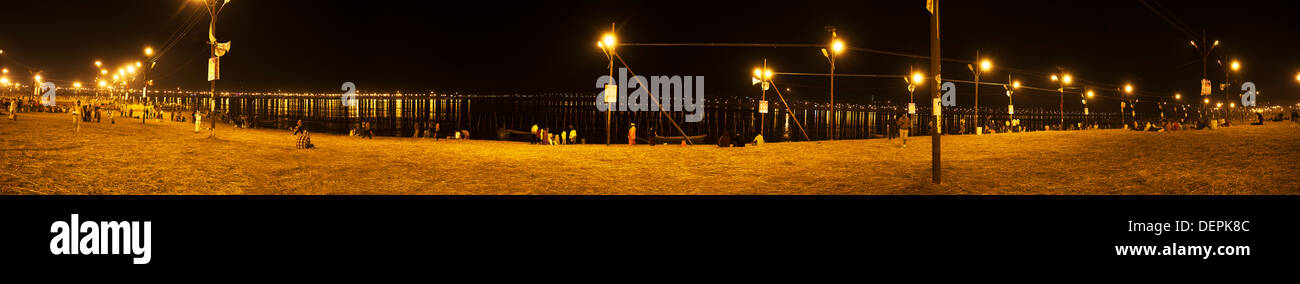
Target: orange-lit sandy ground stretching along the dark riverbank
{"x": 42, "y": 154}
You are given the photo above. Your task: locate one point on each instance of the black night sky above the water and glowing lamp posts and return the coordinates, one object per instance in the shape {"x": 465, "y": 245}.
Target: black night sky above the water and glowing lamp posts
{"x": 551, "y": 48}
